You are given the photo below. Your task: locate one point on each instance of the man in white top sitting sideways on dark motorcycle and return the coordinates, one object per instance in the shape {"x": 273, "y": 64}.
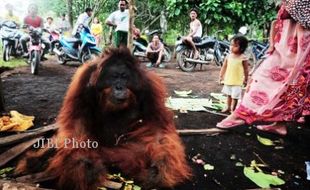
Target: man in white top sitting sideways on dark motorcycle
{"x": 195, "y": 33}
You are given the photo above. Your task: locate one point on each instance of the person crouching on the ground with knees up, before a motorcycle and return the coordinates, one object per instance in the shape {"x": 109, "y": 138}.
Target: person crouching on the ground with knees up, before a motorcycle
{"x": 154, "y": 52}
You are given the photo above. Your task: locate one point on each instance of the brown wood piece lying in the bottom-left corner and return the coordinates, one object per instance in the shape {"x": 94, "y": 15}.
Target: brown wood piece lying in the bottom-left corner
{"x": 9, "y": 185}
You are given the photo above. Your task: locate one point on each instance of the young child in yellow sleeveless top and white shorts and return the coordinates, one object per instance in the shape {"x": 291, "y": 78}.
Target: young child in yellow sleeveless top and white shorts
{"x": 234, "y": 72}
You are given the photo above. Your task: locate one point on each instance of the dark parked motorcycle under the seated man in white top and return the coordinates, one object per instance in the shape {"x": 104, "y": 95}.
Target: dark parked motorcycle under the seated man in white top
{"x": 210, "y": 49}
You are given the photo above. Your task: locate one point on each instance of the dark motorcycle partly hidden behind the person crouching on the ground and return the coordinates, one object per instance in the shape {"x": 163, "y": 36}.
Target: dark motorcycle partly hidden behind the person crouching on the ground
{"x": 140, "y": 46}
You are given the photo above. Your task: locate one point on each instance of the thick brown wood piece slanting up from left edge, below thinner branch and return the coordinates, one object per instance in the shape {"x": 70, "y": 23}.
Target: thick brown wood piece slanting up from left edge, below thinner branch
{"x": 15, "y": 151}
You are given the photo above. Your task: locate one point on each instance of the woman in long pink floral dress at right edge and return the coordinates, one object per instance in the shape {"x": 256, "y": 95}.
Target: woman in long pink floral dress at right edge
{"x": 279, "y": 88}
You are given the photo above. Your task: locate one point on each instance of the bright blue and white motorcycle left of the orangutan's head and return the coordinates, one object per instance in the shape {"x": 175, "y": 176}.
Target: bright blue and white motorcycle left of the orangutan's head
{"x": 82, "y": 48}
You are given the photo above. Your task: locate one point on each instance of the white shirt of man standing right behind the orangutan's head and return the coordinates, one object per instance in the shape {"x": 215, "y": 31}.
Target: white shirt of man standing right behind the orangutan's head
{"x": 120, "y": 19}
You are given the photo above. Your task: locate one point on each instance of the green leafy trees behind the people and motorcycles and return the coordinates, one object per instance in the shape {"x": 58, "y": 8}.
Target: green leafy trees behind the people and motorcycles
{"x": 225, "y": 15}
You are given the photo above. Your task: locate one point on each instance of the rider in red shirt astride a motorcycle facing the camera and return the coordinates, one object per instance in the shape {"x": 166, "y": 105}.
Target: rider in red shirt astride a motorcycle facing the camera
{"x": 33, "y": 20}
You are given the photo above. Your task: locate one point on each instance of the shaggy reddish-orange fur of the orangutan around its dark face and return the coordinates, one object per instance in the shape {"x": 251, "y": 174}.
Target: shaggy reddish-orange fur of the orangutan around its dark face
{"x": 150, "y": 152}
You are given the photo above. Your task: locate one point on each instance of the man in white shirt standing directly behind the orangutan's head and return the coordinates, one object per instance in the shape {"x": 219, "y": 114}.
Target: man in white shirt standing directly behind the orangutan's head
{"x": 120, "y": 20}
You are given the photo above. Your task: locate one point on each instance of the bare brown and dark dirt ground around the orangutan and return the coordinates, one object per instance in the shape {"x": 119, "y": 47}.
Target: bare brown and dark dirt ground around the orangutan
{"x": 42, "y": 97}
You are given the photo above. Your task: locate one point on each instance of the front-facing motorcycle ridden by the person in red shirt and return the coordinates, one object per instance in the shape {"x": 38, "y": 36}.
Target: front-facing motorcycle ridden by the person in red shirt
{"x": 35, "y": 49}
